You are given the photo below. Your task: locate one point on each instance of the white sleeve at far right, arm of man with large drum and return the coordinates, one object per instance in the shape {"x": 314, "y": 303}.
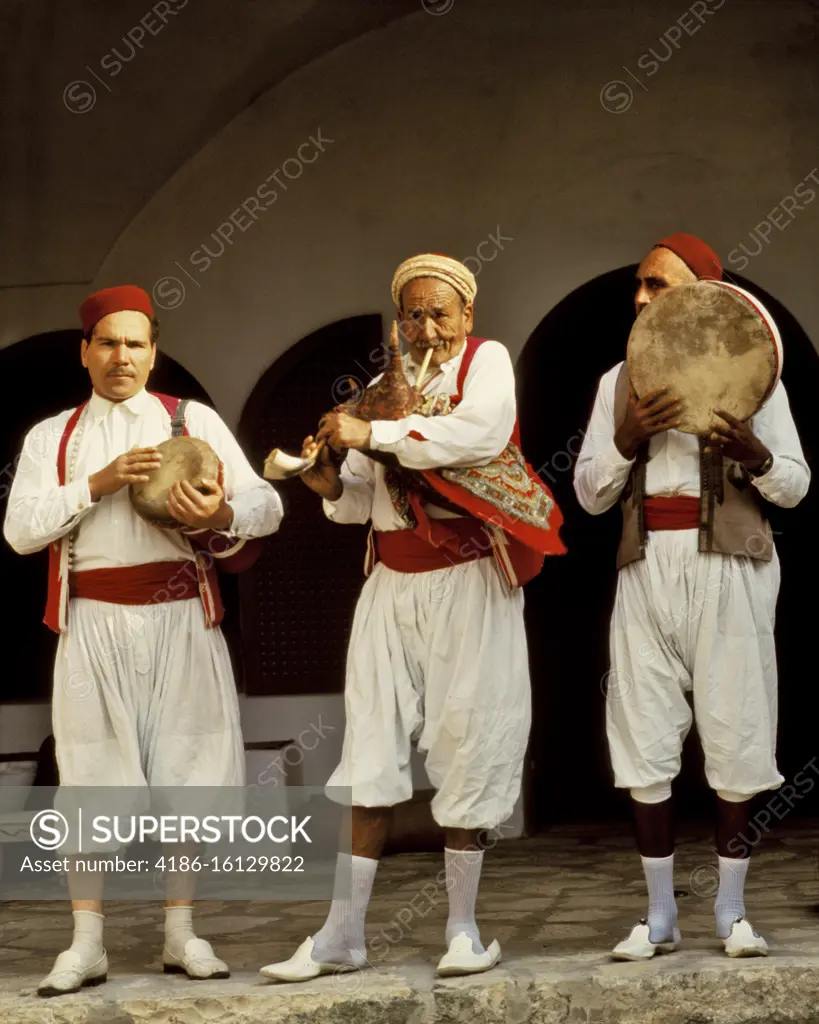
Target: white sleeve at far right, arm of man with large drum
{"x": 787, "y": 482}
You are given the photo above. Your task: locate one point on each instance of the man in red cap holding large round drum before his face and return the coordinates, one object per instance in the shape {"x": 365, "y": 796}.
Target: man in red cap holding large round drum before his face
{"x": 693, "y": 614}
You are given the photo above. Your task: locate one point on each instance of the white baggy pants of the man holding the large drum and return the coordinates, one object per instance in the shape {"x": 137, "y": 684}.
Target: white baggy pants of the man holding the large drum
{"x": 701, "y": 623}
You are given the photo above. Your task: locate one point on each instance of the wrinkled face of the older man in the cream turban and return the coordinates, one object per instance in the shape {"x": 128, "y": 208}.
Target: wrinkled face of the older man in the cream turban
{"x": 434, "y": 315}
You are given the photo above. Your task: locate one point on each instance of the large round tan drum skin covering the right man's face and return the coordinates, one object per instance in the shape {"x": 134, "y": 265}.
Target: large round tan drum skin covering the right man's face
{"x": 711, "y": 348}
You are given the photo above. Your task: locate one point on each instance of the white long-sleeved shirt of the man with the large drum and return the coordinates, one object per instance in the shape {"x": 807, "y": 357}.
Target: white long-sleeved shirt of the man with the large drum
{"x": 673, "y": 467}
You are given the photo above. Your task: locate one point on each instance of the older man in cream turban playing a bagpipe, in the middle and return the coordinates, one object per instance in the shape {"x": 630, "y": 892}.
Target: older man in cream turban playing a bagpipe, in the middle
{"x": 438, "y": 655}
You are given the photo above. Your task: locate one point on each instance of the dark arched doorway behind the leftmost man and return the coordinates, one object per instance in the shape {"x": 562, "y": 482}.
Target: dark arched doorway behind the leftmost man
{"x": 44, "y": 376}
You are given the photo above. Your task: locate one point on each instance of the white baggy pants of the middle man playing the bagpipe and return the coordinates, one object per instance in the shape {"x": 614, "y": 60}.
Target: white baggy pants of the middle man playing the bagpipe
{"x": 440, "y": 659}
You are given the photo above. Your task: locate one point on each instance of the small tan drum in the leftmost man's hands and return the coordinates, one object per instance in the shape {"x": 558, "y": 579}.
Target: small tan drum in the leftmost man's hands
{"x": 183, "y": 459}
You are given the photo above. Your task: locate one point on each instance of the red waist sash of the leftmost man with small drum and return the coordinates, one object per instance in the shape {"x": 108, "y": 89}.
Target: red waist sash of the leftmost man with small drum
{"x": 154, "y": 583}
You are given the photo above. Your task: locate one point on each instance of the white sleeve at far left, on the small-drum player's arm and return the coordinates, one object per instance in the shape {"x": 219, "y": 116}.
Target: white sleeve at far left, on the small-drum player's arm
{"x": 39, "y": 511}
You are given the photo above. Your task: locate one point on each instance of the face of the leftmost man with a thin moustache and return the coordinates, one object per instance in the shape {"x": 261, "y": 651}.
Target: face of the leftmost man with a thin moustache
{"x": 119, "y": 356}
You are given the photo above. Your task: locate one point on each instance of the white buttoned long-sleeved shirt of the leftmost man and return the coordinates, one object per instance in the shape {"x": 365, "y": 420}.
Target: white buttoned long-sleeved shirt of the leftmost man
{"x": 111, "y": 533}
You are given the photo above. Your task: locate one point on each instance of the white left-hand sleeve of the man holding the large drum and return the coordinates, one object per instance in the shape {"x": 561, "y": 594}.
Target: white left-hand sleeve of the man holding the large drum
{"x": 601, "y": 472}
